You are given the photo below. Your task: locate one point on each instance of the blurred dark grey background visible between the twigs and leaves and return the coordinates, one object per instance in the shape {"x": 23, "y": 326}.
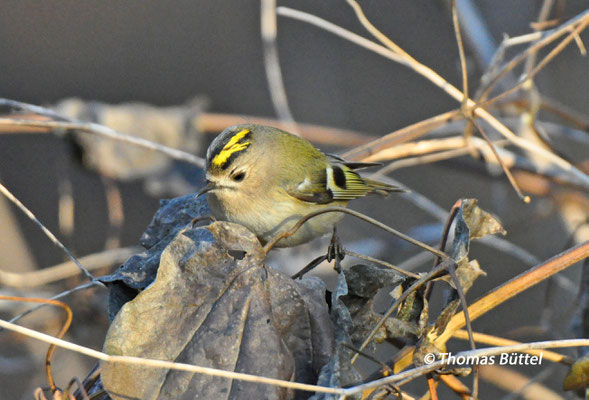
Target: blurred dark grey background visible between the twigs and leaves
{"x": 207, "y": 56}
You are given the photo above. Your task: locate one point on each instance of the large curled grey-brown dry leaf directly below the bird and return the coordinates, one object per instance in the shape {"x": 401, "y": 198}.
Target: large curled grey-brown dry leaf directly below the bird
{"x": 215, "y": 304}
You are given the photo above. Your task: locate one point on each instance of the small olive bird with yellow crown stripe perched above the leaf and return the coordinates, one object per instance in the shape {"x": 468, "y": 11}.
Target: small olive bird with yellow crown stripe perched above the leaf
{"x": 266, "y": 179}
